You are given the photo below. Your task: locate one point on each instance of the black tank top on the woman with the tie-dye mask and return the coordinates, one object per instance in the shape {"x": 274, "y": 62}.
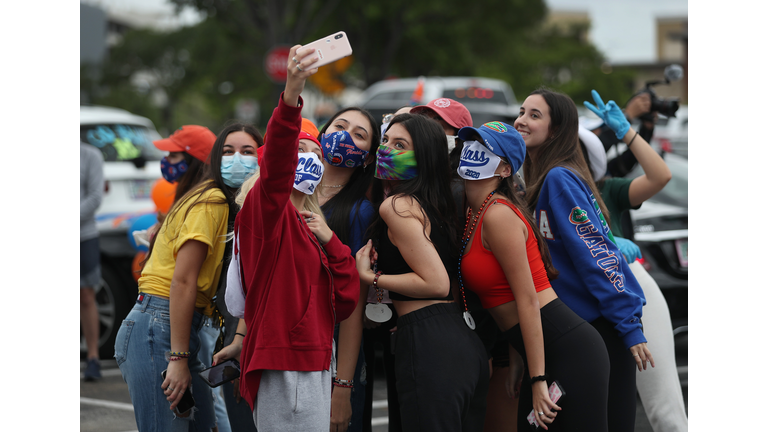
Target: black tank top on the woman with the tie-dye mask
{"x": 390, "y": 260}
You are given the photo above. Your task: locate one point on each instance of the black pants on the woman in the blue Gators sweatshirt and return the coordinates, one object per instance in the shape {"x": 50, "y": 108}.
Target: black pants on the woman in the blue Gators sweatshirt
{"x": 622, "y": 388}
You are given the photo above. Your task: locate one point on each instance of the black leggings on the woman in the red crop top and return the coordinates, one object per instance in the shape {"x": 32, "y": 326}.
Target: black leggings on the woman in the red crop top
{"x": 576, "y": 357}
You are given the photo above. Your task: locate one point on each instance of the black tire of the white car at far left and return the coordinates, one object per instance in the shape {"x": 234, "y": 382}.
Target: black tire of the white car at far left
{"x": 113, "y": 304}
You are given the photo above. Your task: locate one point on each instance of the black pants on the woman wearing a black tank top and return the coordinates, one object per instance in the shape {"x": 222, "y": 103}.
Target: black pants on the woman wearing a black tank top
{"x": 442, "y": 371}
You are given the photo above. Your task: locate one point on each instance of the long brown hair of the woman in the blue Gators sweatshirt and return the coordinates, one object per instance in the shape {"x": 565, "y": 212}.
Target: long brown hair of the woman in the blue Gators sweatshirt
{"x": 562, "y": 150}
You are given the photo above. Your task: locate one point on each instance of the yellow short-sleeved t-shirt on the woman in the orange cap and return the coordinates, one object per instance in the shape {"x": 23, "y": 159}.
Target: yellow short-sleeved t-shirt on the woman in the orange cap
{"x": 206, "y": 223}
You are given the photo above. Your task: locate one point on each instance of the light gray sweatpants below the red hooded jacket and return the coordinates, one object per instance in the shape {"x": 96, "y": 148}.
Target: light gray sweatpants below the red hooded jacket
{"x": 301, "y": 400}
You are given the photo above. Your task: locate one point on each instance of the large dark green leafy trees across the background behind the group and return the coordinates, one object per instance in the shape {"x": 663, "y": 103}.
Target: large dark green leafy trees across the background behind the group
{"x": 196, "y": 74}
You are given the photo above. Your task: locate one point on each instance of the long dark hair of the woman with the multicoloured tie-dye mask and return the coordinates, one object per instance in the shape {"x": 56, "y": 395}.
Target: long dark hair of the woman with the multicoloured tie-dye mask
{"x": 432, "y": 186}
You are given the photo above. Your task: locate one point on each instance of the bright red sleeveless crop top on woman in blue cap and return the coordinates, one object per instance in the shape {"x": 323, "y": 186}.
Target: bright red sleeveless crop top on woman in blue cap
{"x": 482, "y": 273}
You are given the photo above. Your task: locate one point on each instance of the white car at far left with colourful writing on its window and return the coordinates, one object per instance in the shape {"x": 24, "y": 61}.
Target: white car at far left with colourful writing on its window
{"x": 131, "y": 167}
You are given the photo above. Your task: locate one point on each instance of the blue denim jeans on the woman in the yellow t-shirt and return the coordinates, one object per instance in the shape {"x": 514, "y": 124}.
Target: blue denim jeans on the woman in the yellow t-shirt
{"x": 142, "y": 341}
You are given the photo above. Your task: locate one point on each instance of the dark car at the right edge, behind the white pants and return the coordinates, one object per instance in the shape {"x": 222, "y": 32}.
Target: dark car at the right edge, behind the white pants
{"x": 661, "y": 232}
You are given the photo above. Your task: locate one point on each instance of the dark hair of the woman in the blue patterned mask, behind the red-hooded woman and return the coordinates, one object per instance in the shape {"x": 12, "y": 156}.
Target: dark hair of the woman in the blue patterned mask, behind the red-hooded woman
{"x": 341, "y": 205}
